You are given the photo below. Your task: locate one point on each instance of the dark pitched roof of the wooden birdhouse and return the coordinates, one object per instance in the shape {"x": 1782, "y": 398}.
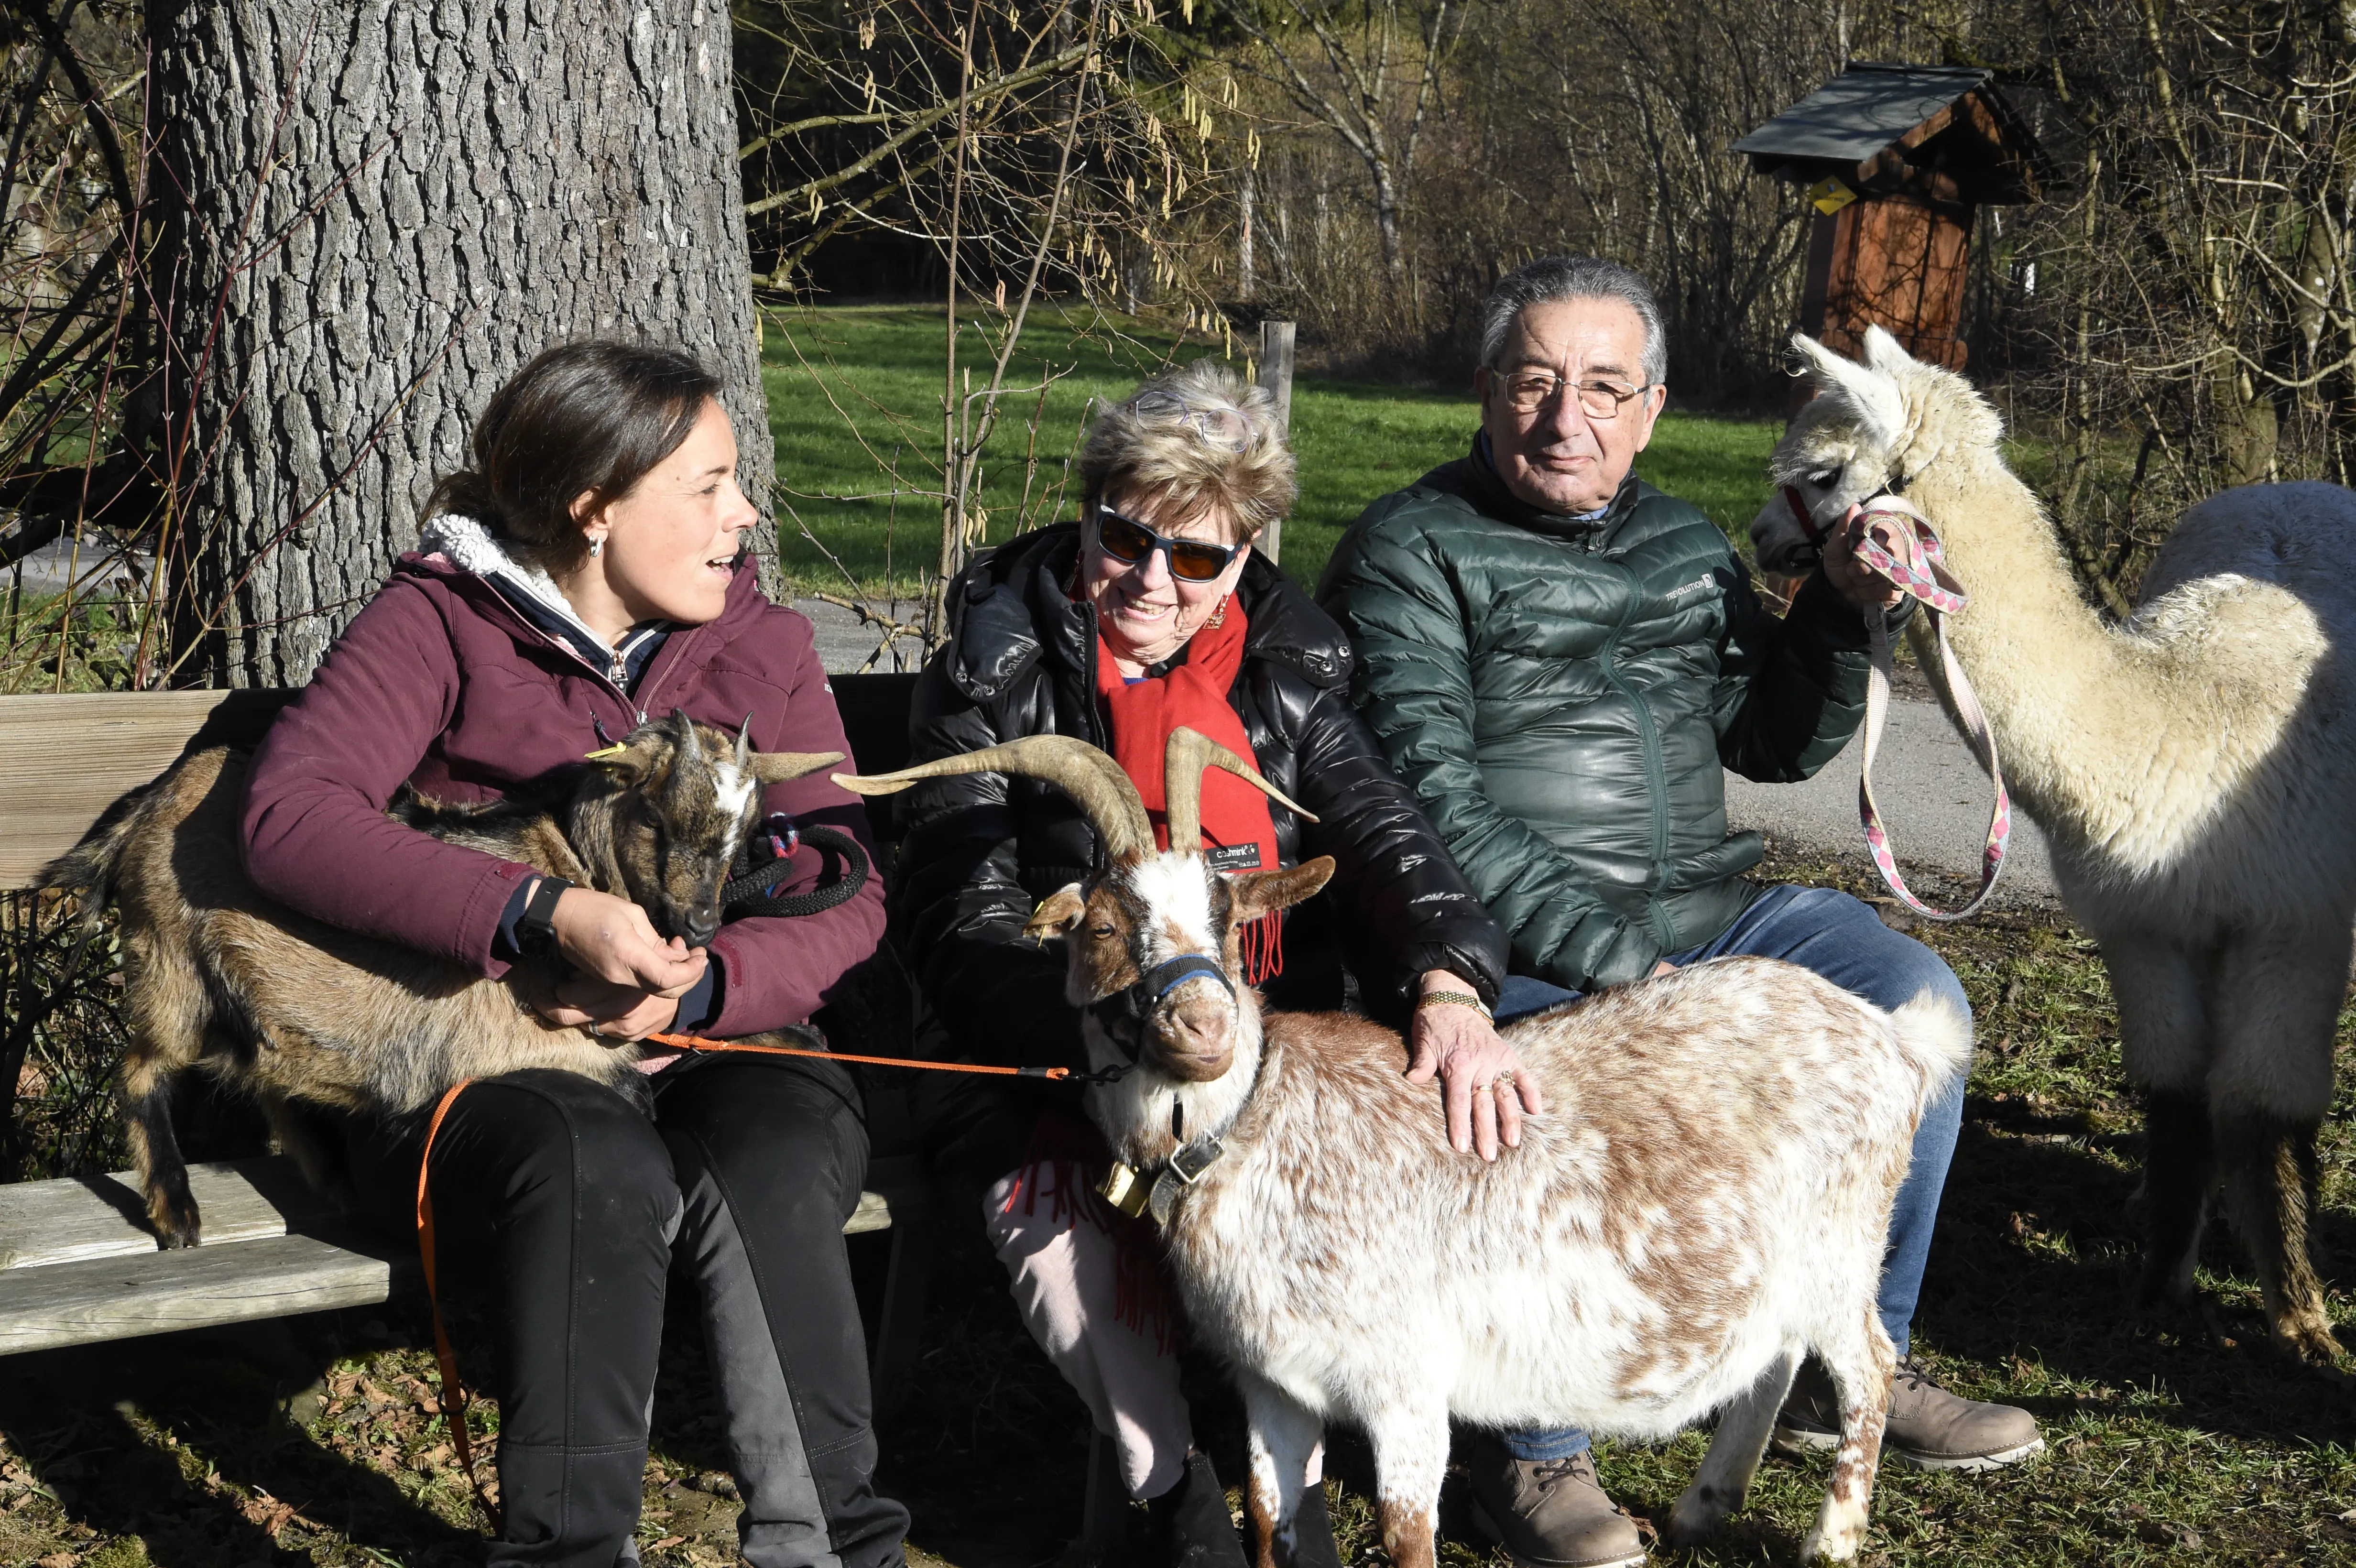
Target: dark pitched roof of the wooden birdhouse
{"x": 1879, "y": 126}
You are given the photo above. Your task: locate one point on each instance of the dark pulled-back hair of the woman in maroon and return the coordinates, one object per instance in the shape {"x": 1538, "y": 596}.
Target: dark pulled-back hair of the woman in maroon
{"x": 578, "y": 418}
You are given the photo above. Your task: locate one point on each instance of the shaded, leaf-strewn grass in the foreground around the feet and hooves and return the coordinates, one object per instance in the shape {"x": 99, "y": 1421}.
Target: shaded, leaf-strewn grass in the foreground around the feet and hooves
{"x": 2171, "y": 1435}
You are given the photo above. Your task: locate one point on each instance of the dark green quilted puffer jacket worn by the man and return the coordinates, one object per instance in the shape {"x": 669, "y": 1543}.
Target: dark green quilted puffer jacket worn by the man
{"x": 1561, "y": 696}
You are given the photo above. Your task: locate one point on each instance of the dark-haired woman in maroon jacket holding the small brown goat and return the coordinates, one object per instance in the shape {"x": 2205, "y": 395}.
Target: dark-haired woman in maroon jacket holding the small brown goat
{"x": 583, "y": 576}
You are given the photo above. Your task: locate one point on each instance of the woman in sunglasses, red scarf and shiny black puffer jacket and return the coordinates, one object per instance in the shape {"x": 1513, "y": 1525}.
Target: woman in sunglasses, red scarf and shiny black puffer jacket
{"x": 1153, "y": 613}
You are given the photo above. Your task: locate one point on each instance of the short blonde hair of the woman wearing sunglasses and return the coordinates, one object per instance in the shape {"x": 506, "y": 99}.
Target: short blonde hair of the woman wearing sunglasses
{"x": 1198, "y": 439}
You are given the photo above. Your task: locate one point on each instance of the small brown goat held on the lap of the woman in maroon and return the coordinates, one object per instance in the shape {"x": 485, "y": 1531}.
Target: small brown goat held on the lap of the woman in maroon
{"x": 293, "y": 1011}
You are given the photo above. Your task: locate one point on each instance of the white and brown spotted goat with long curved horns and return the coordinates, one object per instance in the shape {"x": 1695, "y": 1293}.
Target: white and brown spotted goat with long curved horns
{"x": 1702, "y": 1204}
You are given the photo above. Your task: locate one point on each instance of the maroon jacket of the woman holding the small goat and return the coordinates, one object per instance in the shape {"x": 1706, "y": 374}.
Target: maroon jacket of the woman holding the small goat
{"x": 439, "y": 684}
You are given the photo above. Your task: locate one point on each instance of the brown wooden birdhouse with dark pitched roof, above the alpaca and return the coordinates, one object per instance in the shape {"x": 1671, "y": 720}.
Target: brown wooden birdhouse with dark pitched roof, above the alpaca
{"x": 1898, "y": 161}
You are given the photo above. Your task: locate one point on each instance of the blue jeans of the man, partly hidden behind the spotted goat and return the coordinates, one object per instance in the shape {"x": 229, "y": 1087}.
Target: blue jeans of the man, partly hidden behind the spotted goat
{"x": 1848, "y": 945}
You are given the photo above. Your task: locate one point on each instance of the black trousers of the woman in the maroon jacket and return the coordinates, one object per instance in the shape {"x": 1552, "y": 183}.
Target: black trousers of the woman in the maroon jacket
{"x": 567, "y": 1204}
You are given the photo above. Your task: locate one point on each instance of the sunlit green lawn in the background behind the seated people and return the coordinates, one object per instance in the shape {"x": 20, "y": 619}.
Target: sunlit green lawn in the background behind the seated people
{"x": 854, "y": 401}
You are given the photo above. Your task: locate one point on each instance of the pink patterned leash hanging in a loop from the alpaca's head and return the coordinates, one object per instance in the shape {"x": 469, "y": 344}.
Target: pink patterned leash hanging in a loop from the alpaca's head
{"x": 1902, "y": 547}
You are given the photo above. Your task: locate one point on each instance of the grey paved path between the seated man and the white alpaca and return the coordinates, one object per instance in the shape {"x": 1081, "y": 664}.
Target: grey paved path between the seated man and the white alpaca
{"x": 1931, "y": 792}
